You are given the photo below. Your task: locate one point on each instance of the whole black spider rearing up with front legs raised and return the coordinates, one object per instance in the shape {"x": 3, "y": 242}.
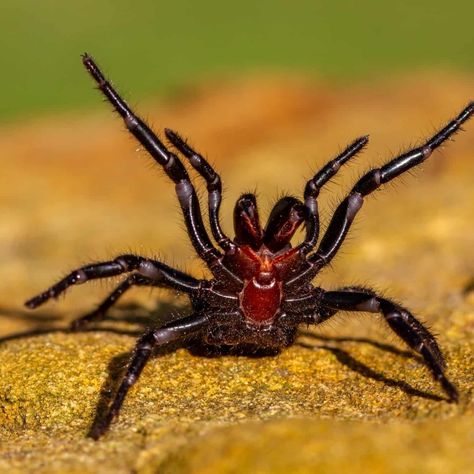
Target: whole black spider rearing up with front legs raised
{"x": 260, "y": 290}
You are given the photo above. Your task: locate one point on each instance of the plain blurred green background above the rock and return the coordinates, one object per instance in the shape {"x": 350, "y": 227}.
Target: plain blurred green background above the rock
{"x": 155, "y": 47}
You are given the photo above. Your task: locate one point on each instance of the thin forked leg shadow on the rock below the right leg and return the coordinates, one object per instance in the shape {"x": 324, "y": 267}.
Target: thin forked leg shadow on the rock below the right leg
{"x": 349, "y": 361}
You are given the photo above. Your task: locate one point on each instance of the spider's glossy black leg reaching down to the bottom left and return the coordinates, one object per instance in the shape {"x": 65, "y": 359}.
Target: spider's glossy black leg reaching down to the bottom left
{"x": 177, "y": 330}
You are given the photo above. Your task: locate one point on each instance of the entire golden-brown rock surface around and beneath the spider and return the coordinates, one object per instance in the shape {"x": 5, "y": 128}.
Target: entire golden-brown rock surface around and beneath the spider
{"x": 347, "y": 395}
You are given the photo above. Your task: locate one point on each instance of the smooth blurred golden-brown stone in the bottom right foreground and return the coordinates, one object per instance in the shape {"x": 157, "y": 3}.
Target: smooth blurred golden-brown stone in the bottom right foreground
{"x": 323, "y": 446}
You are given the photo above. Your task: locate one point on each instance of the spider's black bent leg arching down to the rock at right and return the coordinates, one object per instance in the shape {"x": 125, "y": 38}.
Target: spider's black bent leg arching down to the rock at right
{"x": 401, "y": 321}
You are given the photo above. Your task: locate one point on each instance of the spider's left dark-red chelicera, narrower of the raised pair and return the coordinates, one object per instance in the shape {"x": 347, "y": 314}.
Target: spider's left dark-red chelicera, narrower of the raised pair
{"x": 248, "y": 230}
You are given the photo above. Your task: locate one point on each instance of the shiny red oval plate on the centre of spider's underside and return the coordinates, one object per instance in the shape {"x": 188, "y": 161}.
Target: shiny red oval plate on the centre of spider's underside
{"x": 260, "y": 299}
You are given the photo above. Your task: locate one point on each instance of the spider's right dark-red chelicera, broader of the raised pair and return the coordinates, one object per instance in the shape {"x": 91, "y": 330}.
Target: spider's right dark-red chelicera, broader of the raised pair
{"x": 286, "y": 216}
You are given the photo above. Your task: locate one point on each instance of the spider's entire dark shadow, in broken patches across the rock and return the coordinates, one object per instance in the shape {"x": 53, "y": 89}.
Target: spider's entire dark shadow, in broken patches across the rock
{"x": 135, "y": 314}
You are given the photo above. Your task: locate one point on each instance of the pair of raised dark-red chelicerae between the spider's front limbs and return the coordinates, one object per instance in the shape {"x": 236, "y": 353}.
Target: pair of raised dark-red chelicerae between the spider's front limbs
{"x": 285, "y": 218}
